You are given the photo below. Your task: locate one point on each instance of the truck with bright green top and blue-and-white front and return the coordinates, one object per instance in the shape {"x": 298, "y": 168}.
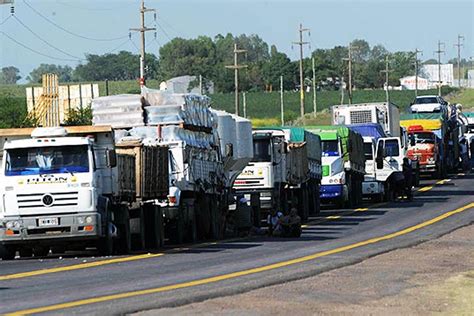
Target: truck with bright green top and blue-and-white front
{"x": 343, "y": 163}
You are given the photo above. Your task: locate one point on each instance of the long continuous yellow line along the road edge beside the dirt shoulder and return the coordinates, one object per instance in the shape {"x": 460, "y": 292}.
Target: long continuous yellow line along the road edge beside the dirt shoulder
{"x": 239, "y": 273}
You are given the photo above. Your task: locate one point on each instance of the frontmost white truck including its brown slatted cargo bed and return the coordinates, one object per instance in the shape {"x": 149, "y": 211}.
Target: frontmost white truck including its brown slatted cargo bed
{"x": 65, "y": 188}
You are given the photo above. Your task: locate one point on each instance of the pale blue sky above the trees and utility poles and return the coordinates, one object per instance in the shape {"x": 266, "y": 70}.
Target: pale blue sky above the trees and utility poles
{"x": 64, "y": 31}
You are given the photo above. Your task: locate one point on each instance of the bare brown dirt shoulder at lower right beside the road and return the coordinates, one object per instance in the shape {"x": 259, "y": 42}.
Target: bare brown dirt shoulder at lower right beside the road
{"x": 433, "y": 277}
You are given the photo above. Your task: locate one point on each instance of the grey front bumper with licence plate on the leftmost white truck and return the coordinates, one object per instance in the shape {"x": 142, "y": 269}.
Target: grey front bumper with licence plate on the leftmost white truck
{"x": 48, "y": 229}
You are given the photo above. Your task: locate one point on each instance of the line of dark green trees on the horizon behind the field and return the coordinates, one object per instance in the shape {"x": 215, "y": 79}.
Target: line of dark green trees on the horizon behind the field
{"x": 208, "y": 57}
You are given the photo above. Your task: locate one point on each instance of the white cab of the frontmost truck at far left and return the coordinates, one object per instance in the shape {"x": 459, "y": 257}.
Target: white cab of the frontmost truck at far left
{"x": 51, "y": 183}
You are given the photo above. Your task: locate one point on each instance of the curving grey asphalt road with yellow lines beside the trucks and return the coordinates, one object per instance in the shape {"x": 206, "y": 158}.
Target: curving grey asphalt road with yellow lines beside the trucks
{"x": 86, "y": 285}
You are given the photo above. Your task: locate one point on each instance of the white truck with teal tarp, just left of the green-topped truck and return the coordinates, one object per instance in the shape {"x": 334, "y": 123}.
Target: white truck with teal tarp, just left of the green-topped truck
{"x": 285, "y": 170}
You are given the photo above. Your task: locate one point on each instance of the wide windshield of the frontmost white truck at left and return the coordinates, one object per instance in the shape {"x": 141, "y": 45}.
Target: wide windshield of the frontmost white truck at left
{"x": 39, "y": 160}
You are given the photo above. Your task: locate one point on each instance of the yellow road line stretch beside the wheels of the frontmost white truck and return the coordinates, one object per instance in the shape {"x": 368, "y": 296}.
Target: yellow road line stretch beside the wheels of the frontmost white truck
{"x": 78, "y": 266}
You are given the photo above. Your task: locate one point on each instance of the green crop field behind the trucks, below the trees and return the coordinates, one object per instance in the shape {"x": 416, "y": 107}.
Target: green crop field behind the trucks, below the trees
{"x": 262, "y": 107}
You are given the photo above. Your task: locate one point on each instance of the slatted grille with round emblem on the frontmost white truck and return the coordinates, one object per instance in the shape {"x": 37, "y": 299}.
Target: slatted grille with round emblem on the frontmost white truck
{"x": 58, "y": 199}
